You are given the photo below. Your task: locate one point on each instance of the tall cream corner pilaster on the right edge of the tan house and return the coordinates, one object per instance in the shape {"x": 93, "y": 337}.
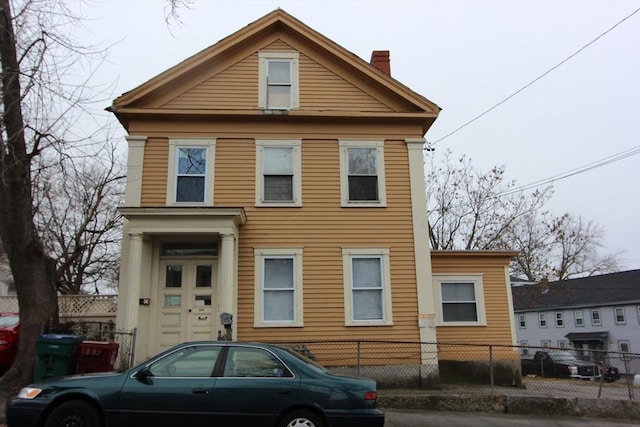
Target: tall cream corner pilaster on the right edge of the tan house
{"x": 426, "y": 306}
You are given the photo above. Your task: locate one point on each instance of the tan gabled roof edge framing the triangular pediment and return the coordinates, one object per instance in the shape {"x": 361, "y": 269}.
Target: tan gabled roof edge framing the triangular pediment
{"x": 143, "y": 99}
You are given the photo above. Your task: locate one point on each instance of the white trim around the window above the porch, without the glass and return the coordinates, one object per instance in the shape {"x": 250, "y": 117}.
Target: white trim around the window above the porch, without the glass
{"x": 172, "y": 179}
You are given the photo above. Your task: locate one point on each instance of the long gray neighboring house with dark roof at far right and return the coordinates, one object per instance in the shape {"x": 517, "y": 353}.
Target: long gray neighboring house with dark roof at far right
{"x": 595, "y": 313}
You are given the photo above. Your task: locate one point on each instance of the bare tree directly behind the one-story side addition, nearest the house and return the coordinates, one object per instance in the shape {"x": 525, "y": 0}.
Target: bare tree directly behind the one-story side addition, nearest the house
{"x": 467, "y": 209}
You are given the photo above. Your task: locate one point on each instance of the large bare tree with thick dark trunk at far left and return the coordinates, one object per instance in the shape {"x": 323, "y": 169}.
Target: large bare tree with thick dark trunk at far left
{"x": 42, "y": 98}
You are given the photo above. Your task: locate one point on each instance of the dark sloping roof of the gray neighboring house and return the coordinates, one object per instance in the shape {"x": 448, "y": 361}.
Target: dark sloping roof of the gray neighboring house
{"x": 605, "y": 289}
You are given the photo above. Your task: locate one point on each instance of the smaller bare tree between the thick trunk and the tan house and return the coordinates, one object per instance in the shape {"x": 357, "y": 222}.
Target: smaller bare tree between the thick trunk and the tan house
{"x": 76, "y": 213}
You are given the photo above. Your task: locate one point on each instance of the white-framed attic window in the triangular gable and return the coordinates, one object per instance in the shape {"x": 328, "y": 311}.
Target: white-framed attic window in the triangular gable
{"x": 278, "y": 80}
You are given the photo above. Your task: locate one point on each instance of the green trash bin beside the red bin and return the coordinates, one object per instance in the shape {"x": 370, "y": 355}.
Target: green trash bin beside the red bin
{"x": 56, "y": 355}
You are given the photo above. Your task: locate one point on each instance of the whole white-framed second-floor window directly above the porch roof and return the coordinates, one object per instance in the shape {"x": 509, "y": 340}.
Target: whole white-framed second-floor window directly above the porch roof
{"x": 191, "y": 171}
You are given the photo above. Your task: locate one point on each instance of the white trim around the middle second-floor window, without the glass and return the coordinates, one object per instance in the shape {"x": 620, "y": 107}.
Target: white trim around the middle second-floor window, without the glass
{"x": 296, "y": 144}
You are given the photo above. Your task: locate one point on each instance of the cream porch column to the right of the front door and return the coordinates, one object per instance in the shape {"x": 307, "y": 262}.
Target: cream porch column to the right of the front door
{"x": 227, "y": 293}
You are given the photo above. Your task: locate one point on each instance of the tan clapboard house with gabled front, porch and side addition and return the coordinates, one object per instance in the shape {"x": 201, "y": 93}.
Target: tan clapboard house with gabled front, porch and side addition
{"x": 276, "y": 191}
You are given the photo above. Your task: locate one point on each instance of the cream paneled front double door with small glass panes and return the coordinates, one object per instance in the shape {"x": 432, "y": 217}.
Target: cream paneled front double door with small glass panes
{"x": 187, "y": 301}
